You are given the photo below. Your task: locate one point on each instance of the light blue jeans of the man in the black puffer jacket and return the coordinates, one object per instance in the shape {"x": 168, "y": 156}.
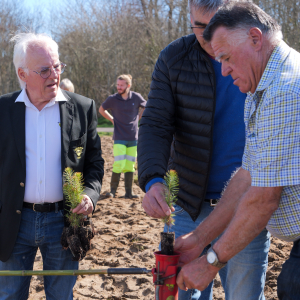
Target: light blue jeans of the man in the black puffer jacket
{"x": 244, "y": 275}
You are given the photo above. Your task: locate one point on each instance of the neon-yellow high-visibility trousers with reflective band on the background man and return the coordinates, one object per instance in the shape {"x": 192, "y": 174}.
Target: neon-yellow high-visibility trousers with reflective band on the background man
{"x": 125, "y": 153}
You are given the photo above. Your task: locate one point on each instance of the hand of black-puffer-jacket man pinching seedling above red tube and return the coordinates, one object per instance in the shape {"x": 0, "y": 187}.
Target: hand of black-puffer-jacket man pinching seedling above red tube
{"x": 154, "y": 202}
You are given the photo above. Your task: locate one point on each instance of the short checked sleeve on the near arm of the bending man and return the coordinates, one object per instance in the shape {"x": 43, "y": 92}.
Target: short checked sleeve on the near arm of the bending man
{"x": 275, "y": 147}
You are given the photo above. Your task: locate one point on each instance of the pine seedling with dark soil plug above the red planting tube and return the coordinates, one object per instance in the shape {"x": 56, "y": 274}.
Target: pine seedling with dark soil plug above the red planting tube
{"x": 171, "y": 191}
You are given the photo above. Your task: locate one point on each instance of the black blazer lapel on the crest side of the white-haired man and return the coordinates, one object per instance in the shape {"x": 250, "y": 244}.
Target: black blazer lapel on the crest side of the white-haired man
{"x": 66, "y": 122}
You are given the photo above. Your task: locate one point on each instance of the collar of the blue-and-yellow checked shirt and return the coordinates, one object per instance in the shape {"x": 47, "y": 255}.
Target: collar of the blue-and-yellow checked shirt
{"x": 276, "y": 60}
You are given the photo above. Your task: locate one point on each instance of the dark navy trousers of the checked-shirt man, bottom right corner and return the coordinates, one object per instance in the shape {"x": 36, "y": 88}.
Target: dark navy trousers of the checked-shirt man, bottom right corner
{"x": 288, "y": 282}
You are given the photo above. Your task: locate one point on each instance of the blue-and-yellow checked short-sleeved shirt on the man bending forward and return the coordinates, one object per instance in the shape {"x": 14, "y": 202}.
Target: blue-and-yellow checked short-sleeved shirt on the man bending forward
{"x": 272, "y": 150}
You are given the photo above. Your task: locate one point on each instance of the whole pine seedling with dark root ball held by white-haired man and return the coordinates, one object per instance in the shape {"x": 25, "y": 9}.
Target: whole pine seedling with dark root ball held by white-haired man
{"x": 77, "y": 237}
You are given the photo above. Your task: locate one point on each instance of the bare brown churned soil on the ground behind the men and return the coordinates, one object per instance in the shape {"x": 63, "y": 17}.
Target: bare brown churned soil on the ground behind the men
{"x": 127, "y": 237}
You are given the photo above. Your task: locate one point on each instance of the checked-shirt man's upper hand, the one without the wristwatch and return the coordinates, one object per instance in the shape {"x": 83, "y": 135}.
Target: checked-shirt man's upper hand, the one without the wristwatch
{"x": 189, "y": 246}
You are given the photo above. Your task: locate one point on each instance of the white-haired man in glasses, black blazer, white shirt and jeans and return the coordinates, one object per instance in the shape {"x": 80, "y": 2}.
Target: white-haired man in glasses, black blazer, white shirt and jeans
{"x": 43, "y": 130}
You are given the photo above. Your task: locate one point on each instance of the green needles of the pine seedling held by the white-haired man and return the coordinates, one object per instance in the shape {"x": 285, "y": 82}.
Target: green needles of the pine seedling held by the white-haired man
{"x": 73, "y": 190}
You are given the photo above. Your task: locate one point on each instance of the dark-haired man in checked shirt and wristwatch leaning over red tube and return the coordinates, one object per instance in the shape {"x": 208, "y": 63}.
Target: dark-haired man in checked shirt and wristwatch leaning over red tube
{"x": 265, "y": 191}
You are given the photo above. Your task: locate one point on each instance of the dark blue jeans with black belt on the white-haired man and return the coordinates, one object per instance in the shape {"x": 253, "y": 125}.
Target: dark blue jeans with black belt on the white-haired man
{"x": 39, "y": 230}
